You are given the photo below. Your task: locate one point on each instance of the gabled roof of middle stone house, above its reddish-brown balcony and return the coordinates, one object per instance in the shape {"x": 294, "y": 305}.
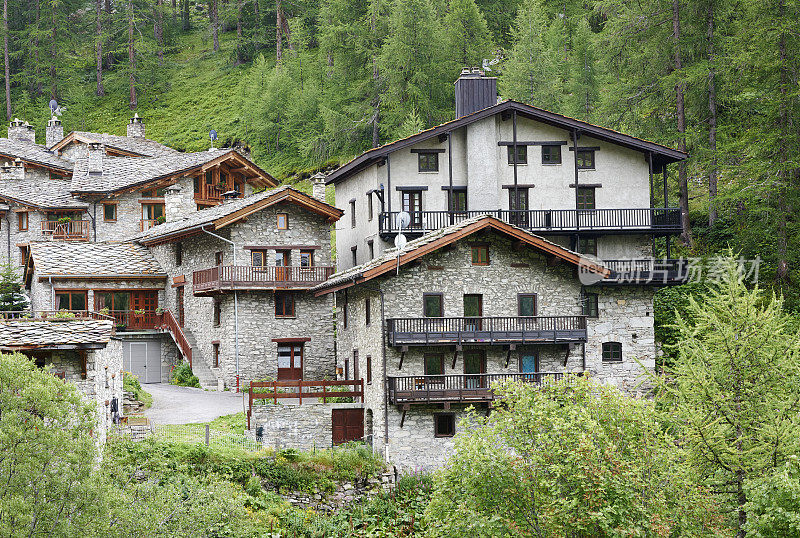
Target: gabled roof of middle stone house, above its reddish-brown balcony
{"x": 222, "y": 215}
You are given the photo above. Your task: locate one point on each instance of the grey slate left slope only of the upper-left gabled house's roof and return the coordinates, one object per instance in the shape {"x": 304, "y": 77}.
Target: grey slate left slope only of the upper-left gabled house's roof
{"x": 122, "y": 172}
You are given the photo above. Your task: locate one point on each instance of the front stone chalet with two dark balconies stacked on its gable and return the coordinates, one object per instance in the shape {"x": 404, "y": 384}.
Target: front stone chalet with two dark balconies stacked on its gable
{"x": 432, "y": 327}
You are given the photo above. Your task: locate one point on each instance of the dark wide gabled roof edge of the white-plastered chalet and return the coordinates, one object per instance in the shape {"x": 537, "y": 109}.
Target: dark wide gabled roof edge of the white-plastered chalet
{"x": 661, "y": 154}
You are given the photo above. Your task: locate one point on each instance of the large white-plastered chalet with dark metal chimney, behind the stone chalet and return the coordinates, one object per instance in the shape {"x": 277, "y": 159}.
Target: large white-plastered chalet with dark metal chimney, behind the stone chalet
{"x": 590, "y": 189}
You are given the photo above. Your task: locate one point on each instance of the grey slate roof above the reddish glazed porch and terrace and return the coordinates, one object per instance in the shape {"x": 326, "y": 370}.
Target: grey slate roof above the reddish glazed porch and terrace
{"x": 105, "y": 259}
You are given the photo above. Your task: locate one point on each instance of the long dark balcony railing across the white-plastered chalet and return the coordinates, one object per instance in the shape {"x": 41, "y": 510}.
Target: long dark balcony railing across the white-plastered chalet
{"x": 660, "y": 220}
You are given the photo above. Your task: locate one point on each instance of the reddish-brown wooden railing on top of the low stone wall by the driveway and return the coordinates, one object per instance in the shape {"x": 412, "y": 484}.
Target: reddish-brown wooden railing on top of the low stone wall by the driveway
{"x": 294, "y": 389}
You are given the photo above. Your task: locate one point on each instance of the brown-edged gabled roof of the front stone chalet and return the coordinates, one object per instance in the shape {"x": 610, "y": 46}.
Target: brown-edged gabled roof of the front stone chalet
{"x": 388, "y": 260}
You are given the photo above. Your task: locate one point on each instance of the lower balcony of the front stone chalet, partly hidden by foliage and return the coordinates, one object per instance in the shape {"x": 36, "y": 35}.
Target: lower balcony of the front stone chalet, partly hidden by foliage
{"x": 460, "y": 388}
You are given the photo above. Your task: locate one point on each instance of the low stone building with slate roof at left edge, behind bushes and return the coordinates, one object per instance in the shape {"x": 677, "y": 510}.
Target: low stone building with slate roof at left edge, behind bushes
{"x": 84, "y": 352}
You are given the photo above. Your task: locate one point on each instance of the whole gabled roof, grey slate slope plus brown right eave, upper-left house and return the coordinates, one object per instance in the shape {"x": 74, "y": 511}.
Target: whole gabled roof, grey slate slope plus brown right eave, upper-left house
{"x": 121, "y": 173}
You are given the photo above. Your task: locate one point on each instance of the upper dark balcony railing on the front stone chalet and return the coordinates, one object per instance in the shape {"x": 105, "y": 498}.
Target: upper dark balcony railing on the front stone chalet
{"x": 486, "y": 330}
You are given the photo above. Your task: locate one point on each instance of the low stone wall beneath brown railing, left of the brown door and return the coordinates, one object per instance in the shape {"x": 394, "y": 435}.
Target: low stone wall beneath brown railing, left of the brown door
{"x": 302, "y": 427}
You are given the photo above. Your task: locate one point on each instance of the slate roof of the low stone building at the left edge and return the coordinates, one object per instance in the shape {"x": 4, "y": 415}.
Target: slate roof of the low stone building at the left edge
{"x": 27, "y": 334}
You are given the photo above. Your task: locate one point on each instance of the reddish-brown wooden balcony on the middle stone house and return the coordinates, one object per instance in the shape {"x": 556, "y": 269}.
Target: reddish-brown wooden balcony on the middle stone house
{"x": 247, "y": 277}
